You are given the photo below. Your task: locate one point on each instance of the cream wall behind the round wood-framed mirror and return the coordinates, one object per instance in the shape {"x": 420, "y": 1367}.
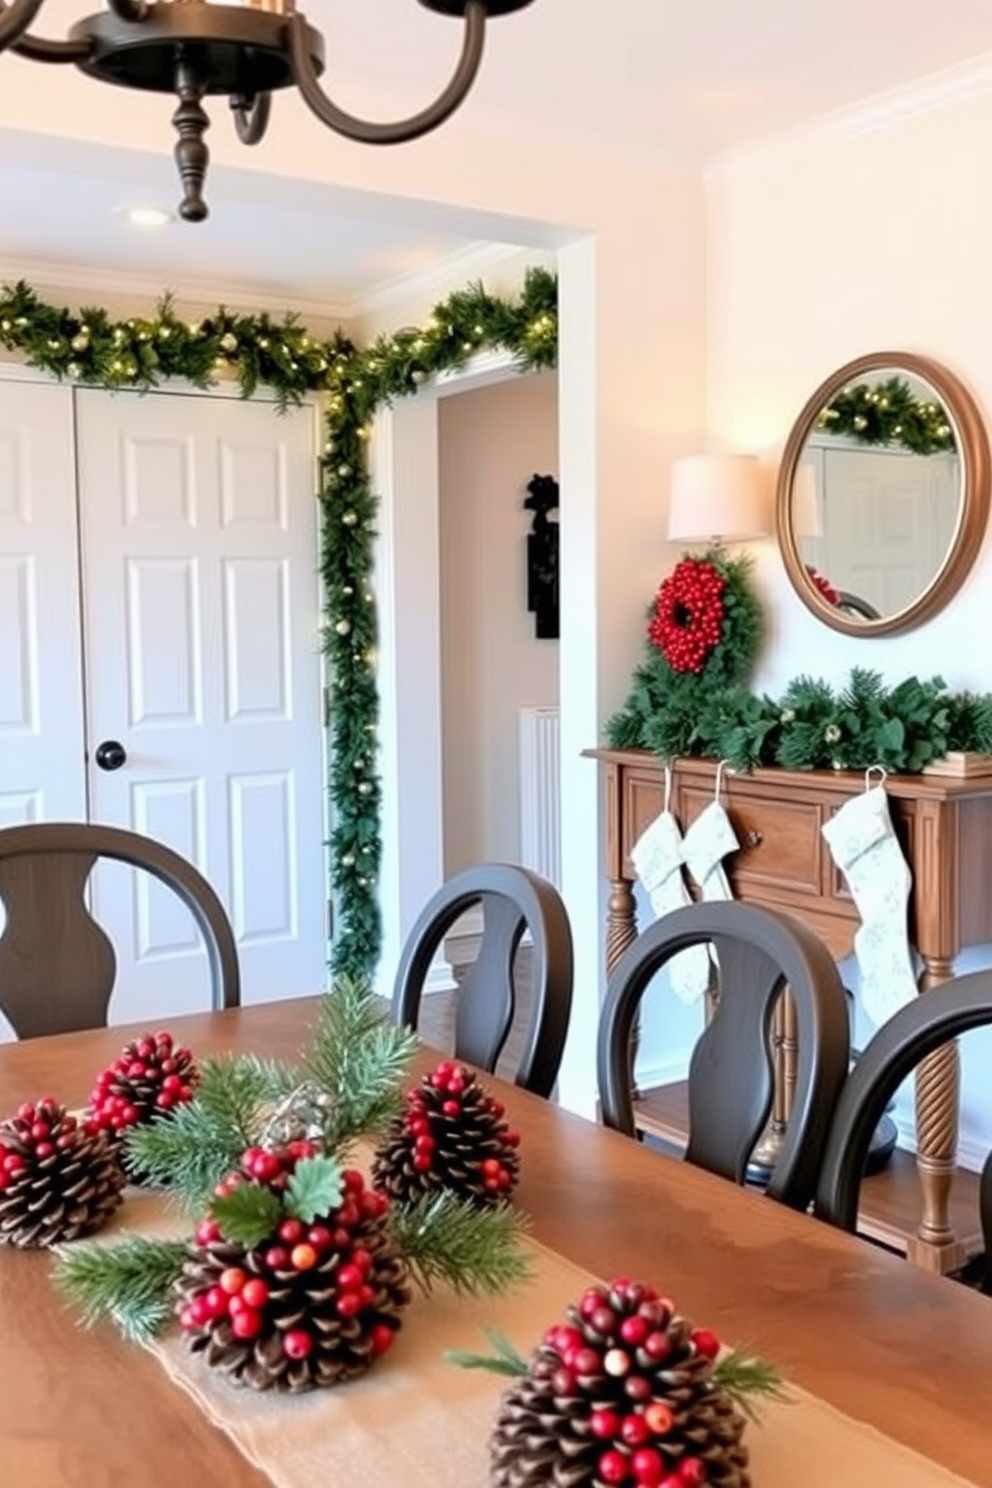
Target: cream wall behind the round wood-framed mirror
{"x": 819, "y": 252}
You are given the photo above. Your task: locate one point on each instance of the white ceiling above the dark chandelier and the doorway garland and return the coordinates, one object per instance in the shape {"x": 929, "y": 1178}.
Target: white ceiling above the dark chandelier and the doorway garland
{"x": 663, "y": 78}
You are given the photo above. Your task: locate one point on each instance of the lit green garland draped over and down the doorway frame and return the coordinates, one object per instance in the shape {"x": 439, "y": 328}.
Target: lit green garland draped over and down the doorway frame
{"x": 93, "y": 349}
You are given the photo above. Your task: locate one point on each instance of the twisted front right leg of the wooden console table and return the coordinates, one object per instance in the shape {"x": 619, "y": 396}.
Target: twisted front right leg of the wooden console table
{"x": 938, "y": 1099}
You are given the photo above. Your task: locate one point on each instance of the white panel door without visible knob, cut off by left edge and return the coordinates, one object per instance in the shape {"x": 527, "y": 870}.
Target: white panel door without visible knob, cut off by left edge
{"x": 42, "y": 758}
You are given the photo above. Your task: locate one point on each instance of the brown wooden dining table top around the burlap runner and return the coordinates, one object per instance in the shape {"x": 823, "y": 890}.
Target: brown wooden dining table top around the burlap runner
{"x": 899, "y": 1349}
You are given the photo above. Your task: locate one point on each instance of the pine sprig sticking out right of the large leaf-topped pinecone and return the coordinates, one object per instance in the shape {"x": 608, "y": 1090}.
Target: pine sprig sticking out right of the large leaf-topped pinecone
{"x": 472, "y": 1251}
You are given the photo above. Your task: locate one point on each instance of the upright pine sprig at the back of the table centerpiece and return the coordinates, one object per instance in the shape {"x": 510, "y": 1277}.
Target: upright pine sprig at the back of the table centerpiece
{"x": 361, "y": 1060}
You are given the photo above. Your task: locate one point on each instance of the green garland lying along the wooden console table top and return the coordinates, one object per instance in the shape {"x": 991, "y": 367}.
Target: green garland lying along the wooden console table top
{"x": 811, "y": 727}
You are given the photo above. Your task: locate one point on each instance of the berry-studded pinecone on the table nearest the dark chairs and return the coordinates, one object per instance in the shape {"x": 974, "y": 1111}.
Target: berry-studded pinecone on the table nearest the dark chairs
{"x": 453, "y": 1136}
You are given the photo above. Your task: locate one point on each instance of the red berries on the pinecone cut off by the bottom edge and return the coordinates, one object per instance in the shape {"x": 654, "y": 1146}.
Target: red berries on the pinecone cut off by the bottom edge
{"x": 630, "y": 1324}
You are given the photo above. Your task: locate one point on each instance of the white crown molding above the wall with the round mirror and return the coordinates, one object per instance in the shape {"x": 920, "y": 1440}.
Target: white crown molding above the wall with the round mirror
{"x": 875, "y": 115}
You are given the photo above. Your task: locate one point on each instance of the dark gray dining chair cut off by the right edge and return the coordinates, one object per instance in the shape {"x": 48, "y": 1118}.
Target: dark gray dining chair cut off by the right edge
{"x": 904, "y": 1041}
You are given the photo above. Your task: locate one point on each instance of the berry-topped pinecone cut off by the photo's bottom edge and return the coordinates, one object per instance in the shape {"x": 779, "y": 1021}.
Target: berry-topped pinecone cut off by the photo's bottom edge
{"x": 621, "y": 1394}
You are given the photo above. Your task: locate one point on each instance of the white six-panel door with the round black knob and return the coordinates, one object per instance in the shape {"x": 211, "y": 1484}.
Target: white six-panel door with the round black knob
{"x": 203, "y": 663}
